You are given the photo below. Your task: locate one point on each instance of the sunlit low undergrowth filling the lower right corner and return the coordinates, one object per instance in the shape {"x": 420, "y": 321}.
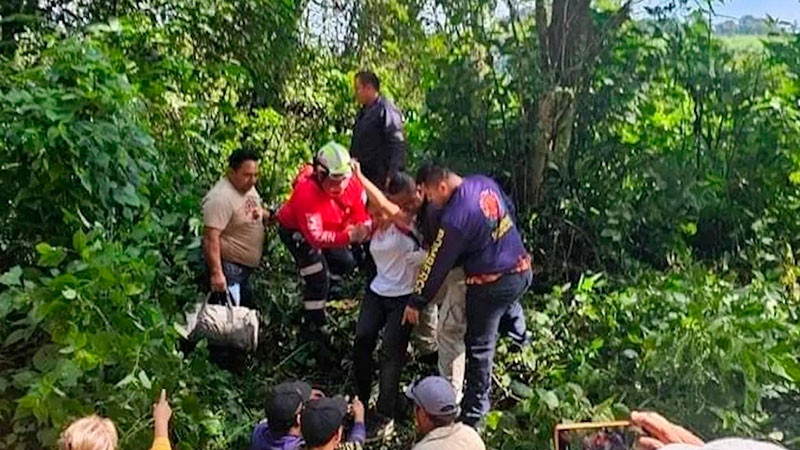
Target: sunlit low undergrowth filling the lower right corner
{"x": 688, "y": 343}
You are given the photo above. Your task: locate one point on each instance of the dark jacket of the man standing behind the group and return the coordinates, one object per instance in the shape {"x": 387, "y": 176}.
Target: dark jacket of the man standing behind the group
{"x": 378, "y": 141}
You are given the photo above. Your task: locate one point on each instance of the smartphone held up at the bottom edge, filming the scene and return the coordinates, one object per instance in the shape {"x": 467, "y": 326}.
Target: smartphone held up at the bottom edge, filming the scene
{"x": 620, "y": 435}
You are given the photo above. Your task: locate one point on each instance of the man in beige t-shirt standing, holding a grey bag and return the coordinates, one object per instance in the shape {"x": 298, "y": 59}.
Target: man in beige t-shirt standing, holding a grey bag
{"x": 234, "y": 227}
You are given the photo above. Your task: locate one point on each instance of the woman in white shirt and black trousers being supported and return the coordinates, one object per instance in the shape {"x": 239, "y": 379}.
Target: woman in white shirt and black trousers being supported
{"x": 398, "y": 254}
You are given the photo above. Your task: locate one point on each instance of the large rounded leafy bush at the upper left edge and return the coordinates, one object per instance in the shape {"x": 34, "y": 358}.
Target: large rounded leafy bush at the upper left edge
{"x": 66, "y": 119}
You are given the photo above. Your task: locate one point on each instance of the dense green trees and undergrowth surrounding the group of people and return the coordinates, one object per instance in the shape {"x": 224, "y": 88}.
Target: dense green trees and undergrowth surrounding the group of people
{"x": 657, "y": 173}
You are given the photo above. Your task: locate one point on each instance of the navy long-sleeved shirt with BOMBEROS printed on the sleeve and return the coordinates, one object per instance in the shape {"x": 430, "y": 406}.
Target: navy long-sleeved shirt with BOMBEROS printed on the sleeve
{"x": 477, "y": 229}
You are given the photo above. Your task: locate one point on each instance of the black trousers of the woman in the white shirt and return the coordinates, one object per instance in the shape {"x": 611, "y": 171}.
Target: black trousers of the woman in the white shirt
{"x": 378, "y": 313}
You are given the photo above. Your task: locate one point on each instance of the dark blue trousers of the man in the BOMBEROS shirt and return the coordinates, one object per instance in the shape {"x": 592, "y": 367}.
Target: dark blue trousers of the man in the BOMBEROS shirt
{"x": 490, "y": 307}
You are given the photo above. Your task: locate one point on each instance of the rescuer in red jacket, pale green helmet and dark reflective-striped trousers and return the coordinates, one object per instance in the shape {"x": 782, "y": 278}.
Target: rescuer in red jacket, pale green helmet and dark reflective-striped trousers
{"x": 325, "y": 214}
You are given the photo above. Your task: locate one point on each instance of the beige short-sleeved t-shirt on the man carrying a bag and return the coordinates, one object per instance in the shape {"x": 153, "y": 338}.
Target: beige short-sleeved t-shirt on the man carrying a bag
{"x": 239, "y": 216}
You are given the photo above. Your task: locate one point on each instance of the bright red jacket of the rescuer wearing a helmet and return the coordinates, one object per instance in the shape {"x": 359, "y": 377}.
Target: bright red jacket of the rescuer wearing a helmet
{"x": 323, "y": 219}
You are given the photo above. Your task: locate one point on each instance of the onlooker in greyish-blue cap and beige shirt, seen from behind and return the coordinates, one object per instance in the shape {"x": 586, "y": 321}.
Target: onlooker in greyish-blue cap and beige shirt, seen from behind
{"x": 435, "y": 413}
